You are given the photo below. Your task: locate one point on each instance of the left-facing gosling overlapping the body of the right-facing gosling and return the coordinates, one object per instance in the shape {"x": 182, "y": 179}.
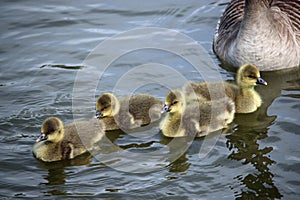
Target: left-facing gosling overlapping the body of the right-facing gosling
{"x": 193, "y": 118}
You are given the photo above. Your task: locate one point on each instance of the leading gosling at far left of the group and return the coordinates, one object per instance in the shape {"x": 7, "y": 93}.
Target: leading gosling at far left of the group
{"x": 58, "y": 142}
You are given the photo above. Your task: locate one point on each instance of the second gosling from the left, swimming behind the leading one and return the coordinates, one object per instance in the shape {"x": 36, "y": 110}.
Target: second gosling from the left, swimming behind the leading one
{"x": 127, "y": 112}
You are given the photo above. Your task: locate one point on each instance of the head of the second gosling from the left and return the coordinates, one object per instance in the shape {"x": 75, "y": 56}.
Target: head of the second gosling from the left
{"x": 106, "y": 105}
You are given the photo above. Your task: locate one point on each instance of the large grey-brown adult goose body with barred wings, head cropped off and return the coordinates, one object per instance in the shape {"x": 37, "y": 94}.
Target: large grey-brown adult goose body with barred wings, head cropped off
{"x": 265, "y": 33}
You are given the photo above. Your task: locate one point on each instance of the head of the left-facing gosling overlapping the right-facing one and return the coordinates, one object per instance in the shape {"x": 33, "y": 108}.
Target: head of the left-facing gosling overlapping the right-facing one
{"x": 174, "y": 102}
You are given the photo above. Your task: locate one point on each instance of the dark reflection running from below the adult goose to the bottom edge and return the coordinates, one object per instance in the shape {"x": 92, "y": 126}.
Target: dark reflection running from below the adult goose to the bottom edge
{"x": 251, "y": 128}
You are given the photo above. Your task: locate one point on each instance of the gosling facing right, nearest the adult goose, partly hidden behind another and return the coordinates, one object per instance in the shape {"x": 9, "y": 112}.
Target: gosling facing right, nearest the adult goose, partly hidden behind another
{"x": 245, "y": 98}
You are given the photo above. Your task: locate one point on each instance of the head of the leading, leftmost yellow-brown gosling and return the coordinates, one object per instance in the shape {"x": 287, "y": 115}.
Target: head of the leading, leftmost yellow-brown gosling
{"x": 52, "y": 130}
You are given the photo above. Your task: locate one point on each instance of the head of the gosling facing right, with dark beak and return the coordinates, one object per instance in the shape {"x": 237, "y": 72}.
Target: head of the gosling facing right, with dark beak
{"x": 248, "y": 76}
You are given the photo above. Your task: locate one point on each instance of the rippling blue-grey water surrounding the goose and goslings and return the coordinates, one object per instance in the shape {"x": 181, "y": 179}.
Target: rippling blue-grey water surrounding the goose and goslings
{"x": 43, "y": 46}
